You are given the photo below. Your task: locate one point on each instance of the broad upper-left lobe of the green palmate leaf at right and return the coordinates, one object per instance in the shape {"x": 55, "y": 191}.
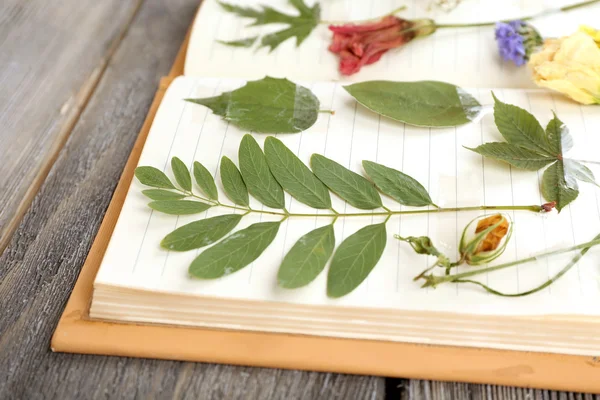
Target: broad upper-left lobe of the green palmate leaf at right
{"x": 520, "y": 128}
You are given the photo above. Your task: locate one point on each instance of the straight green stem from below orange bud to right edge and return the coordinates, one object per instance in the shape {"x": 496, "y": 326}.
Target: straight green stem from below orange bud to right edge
{"x": 434, "y": 280}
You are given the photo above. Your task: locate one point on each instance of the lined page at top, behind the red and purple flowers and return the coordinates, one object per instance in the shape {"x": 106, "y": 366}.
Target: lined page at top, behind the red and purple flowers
{"x": 466, "y": 57}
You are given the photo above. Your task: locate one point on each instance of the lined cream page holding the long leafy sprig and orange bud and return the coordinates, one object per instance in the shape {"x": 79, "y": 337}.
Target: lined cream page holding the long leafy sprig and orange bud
{"x": 453, "y": 175}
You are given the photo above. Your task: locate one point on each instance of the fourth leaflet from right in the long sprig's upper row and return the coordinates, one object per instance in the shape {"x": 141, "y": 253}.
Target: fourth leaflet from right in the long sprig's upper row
{"x": 257, "y": 175}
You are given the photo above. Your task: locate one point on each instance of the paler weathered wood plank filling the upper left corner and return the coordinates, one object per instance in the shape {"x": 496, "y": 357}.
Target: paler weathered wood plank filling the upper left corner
{"x": 51, "y": 55}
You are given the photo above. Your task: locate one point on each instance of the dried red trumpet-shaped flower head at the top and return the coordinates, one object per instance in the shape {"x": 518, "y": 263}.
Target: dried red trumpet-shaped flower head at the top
{"x": 364, "y": 44}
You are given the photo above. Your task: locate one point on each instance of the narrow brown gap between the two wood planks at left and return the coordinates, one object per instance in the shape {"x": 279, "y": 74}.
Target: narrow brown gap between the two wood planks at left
{"x": 73, "y": 109}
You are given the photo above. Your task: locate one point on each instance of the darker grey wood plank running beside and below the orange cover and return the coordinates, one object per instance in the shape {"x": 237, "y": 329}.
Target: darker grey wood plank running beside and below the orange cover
{"x": 40, "y": 266}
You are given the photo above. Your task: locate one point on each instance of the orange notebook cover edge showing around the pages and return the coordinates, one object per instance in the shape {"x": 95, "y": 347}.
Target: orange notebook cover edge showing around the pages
{"x": 77, "y": 333}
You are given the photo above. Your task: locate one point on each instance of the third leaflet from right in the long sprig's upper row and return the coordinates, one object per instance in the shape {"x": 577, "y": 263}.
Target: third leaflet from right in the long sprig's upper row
{"x": 294, "y": 176}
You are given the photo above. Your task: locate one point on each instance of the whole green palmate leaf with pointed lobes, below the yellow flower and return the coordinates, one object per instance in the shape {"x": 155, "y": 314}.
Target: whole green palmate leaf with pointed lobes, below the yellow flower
{"x": 529, "y": 146}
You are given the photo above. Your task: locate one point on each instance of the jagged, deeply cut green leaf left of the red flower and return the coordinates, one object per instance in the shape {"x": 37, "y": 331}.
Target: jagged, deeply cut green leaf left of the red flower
{"x": 298, "y": 26}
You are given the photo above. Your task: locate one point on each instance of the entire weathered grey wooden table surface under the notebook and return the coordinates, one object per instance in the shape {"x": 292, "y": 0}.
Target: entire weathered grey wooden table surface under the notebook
{"x": 76, "y": 80}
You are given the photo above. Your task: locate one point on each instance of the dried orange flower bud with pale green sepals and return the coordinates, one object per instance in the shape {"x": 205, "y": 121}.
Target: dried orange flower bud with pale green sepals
{"x": 487, "y": 241}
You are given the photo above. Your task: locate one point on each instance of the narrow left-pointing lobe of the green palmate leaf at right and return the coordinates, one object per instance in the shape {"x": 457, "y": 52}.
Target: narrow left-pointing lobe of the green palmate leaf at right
{"x": 516, "y": 156}
